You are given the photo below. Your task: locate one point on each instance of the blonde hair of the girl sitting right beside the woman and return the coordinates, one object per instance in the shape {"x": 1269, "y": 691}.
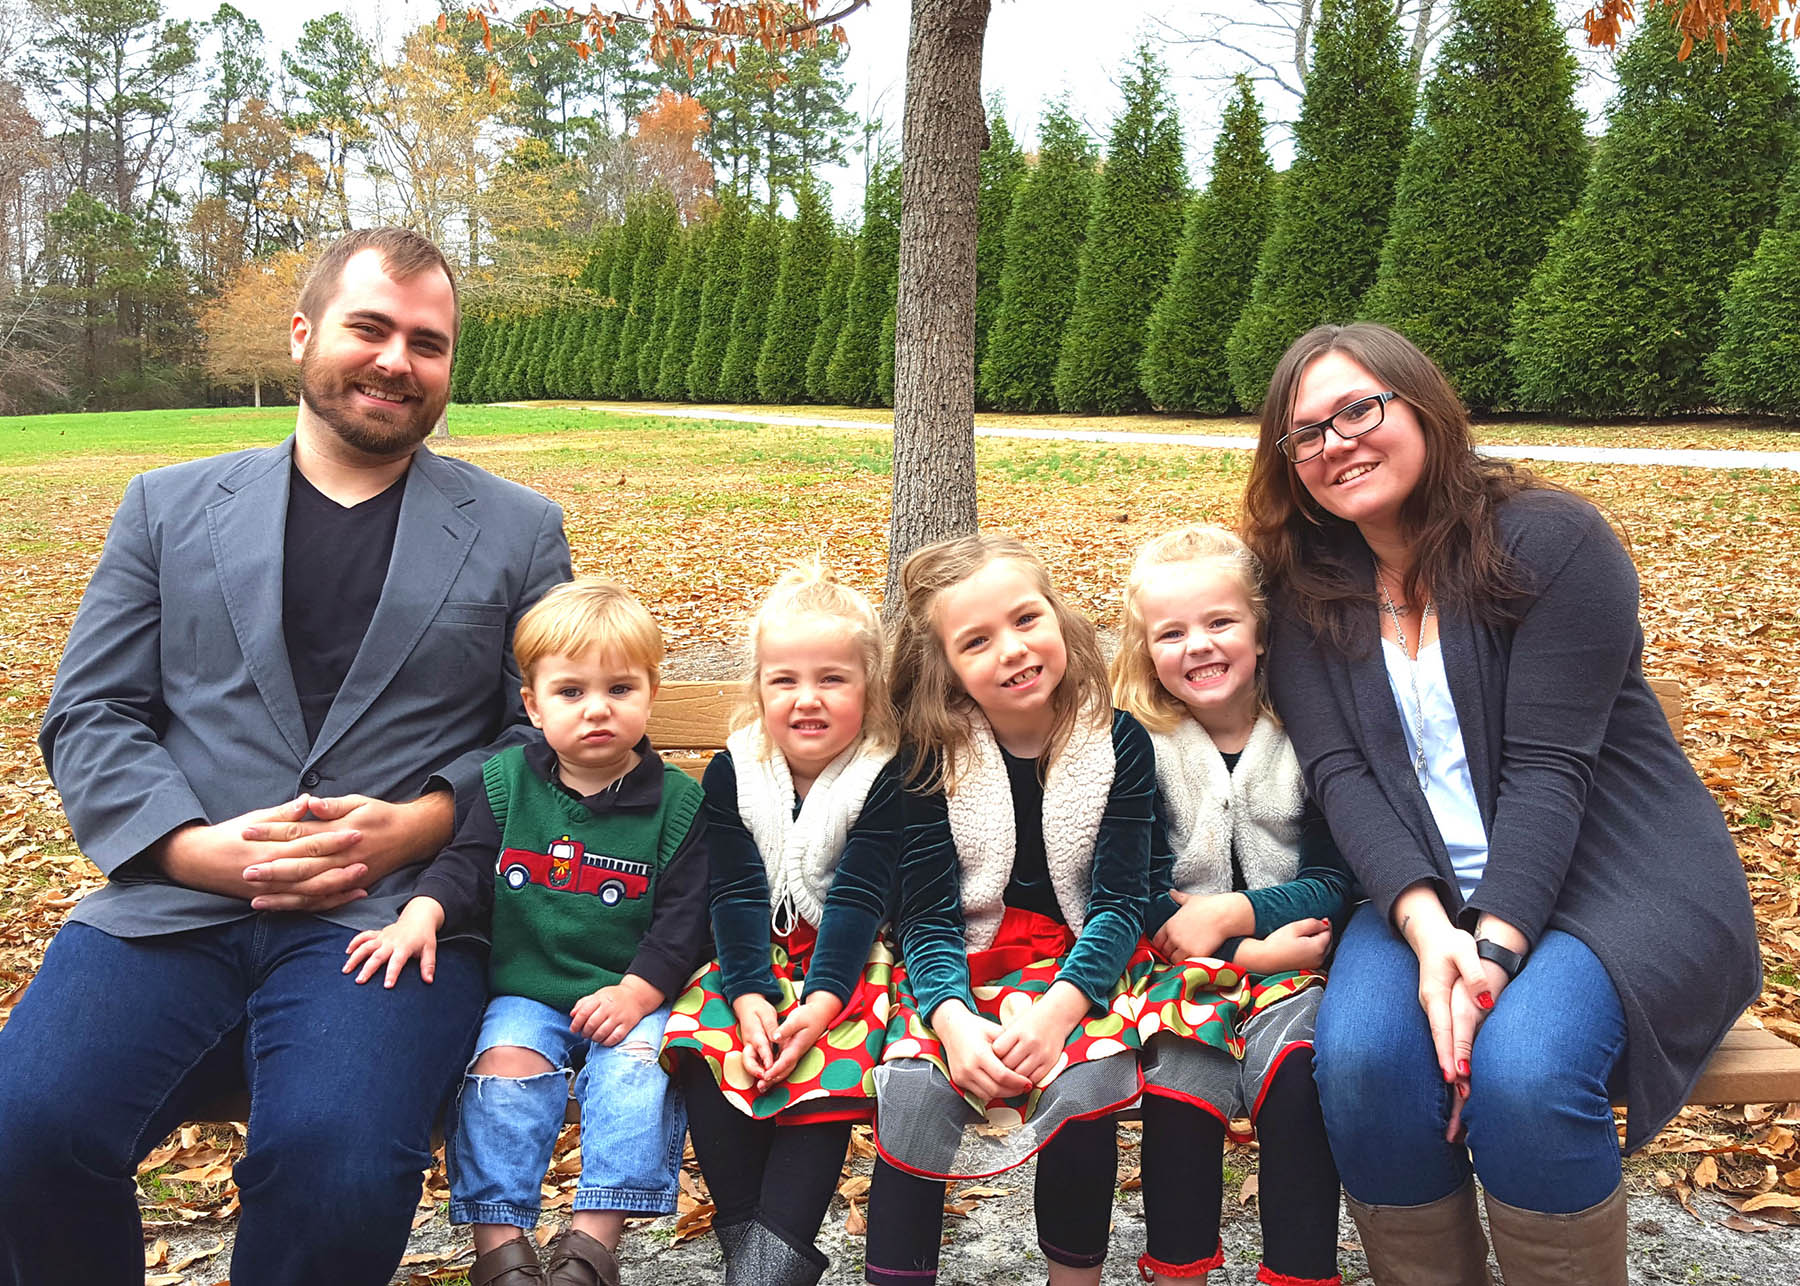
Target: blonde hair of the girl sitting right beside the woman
{"x": 1135, "y": 685}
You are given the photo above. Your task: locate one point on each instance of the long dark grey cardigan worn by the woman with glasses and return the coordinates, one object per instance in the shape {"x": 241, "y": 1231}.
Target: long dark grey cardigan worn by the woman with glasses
{"x": 1597, "y": 824}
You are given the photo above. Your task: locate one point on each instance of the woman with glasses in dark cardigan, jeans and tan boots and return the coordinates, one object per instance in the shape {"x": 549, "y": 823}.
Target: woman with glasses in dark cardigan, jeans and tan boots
{"x": 1558, "y": 914}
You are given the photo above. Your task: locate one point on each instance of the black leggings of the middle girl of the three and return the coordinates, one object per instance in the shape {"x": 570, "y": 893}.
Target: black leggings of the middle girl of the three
{"x": 1077, "y": 1175}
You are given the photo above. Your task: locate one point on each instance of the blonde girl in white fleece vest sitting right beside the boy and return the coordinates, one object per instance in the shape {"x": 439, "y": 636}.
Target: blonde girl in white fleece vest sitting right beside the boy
{"x": 777, "y": 1040}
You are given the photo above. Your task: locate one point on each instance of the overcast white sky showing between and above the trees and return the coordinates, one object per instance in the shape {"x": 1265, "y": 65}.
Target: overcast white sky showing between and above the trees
{"x": 1036, "y": 50}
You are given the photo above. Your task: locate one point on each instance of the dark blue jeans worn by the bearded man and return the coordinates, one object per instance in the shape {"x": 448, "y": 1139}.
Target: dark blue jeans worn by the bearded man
{"x": 116, "y": 1038}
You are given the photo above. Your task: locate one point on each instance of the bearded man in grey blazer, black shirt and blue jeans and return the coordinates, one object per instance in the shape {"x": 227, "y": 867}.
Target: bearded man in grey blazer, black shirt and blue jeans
{"x": 287, "y": 671}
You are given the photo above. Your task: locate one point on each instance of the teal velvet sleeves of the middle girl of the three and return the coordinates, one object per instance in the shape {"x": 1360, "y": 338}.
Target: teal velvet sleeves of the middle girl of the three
{"x": 931, "y": 914}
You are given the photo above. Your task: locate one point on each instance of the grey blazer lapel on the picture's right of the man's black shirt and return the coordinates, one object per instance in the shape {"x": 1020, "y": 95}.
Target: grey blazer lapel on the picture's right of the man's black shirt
{"x": 431, "y": 543}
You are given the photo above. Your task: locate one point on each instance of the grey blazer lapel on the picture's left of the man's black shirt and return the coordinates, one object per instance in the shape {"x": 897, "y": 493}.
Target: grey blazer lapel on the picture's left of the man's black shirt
{"x": 247, "y": 527}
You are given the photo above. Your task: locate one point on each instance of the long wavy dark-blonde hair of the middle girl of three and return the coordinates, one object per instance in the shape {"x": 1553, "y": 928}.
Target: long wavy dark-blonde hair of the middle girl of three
{"x": 935, "y": 712}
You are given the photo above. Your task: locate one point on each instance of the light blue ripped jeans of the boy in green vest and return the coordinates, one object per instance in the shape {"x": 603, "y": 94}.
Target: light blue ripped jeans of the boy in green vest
{"x": 633, "y": 1121}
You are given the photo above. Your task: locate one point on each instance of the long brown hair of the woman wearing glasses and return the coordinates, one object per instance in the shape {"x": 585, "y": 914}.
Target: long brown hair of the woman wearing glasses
{"x": 1322, "y": 561}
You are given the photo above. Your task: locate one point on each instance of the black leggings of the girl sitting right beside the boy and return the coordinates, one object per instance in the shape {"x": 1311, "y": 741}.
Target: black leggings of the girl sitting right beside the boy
{"x": 784, "y": 1175}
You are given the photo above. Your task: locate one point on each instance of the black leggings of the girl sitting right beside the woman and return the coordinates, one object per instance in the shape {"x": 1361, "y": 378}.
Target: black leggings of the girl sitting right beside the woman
{"x": 1299, "y": 1182}
